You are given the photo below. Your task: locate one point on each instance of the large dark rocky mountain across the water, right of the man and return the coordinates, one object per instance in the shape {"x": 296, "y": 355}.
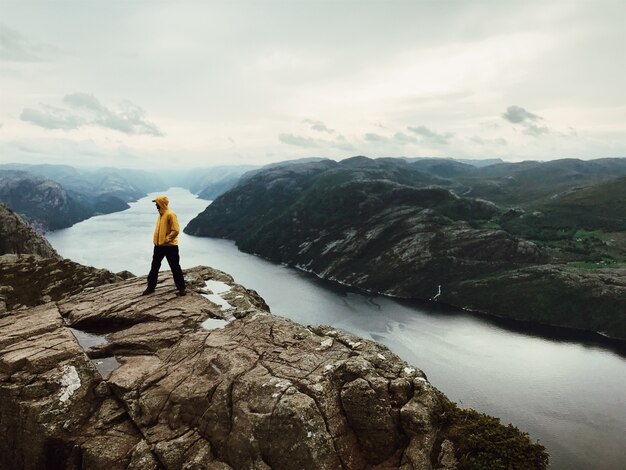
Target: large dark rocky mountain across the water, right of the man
{"x": 402, "y": 229}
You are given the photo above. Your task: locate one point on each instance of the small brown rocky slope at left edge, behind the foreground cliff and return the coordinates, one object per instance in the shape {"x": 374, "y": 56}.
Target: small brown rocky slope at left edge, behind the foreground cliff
{"x": 17, "y": 237}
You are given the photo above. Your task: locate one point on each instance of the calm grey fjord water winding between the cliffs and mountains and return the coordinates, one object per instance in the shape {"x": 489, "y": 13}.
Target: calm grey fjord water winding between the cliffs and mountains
{"x": 570, "y": 396}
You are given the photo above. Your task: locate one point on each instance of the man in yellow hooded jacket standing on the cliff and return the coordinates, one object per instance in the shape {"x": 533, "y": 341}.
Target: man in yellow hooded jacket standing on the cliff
{"x": 165, "y": 246}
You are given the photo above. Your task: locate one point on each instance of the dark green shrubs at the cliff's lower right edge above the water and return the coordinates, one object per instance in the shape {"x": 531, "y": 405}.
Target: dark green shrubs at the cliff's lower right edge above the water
{"x": 482, "y": 442}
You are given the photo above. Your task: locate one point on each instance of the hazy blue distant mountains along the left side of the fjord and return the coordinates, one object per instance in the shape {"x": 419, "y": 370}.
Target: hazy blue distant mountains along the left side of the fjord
{"x": 51, "y": 197}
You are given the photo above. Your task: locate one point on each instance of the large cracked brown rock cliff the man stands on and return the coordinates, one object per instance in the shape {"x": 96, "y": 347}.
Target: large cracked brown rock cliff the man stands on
{"x": 111, "y": 379}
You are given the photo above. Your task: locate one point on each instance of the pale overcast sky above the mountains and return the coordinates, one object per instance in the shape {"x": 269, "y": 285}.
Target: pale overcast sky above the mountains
{"x": 150, "y": 84}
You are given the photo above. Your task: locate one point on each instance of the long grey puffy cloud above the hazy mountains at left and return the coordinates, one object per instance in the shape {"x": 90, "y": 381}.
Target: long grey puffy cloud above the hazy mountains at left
{"x": 83, "y": 109}
